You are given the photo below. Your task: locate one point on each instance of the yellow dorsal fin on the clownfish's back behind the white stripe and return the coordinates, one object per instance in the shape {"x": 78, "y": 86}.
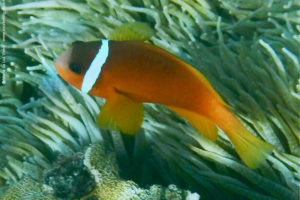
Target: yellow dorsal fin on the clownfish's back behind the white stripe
{"x": 132, "y": 31}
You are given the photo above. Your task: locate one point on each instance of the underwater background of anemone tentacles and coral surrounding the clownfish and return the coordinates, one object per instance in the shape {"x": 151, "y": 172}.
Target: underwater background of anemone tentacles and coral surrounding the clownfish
{"x": 51, "y": 147}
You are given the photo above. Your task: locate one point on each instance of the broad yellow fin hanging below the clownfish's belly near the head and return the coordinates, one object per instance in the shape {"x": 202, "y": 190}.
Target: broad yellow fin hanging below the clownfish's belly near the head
{"x": 121, "y": 113}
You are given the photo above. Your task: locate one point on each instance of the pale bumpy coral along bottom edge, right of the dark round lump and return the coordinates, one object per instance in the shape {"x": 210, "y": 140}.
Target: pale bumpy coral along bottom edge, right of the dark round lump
{"x": 109, "y": 185}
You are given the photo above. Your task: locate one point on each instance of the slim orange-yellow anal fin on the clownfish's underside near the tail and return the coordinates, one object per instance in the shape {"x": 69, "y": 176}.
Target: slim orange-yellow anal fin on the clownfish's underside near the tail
{"x": 201, "y": 123}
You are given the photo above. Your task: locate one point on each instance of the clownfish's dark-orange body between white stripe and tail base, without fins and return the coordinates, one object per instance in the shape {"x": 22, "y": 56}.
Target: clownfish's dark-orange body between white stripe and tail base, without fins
{"x": 146, "y": 73}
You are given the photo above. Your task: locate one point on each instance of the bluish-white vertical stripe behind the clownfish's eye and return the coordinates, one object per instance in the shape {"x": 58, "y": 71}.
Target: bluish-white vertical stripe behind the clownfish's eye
{"x": 94, "y": 69}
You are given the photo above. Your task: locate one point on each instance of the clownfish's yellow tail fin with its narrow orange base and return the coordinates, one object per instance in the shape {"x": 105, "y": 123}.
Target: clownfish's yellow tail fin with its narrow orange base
{"x": 251, "y": 149}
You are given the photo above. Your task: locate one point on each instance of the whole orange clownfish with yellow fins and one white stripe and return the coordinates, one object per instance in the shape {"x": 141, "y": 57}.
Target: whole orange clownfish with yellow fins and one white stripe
{"x": 127, "y": 72}
